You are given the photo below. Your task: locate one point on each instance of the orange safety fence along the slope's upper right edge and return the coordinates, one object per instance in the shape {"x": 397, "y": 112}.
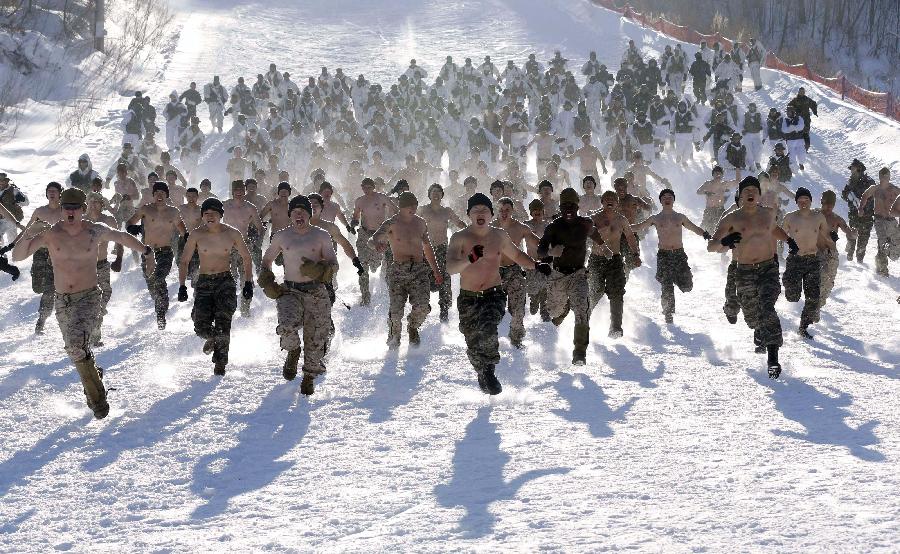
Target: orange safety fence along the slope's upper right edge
{"x": 880, "y": 102}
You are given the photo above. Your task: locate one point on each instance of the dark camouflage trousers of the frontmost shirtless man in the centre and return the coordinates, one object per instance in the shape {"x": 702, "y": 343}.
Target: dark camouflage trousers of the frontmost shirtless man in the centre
{"x": 480, "y": 314}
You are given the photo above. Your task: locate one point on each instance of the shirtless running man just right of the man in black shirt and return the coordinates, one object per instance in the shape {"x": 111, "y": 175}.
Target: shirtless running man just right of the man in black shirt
{"x": 607, "y": 265}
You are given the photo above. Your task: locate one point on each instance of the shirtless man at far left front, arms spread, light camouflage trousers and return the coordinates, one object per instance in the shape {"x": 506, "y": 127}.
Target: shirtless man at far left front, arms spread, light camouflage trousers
{"x": 73, "y": 244}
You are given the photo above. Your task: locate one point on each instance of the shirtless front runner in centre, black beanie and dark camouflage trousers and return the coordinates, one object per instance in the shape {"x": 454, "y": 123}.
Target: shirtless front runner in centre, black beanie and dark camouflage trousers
{"x": 475, "y": 253}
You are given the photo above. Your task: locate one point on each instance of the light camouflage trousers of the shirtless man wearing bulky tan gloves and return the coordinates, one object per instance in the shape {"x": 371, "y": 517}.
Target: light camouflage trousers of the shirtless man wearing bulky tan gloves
{"x": 305, "y": 306}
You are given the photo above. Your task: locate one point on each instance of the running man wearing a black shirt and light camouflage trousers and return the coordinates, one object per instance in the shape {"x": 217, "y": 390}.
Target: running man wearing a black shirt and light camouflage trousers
{"x": 565, "y": 241}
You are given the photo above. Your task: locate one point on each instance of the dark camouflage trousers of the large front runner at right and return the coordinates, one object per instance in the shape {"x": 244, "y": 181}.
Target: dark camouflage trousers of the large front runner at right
{"x": 758, "y": 288}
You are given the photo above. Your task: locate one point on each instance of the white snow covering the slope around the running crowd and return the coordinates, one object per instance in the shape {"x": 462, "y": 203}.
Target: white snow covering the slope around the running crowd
{"x": 670, "y": 439}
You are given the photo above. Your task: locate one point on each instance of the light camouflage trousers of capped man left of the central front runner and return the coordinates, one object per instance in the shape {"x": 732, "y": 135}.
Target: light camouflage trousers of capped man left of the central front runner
{"x": 407, "y": 281}
